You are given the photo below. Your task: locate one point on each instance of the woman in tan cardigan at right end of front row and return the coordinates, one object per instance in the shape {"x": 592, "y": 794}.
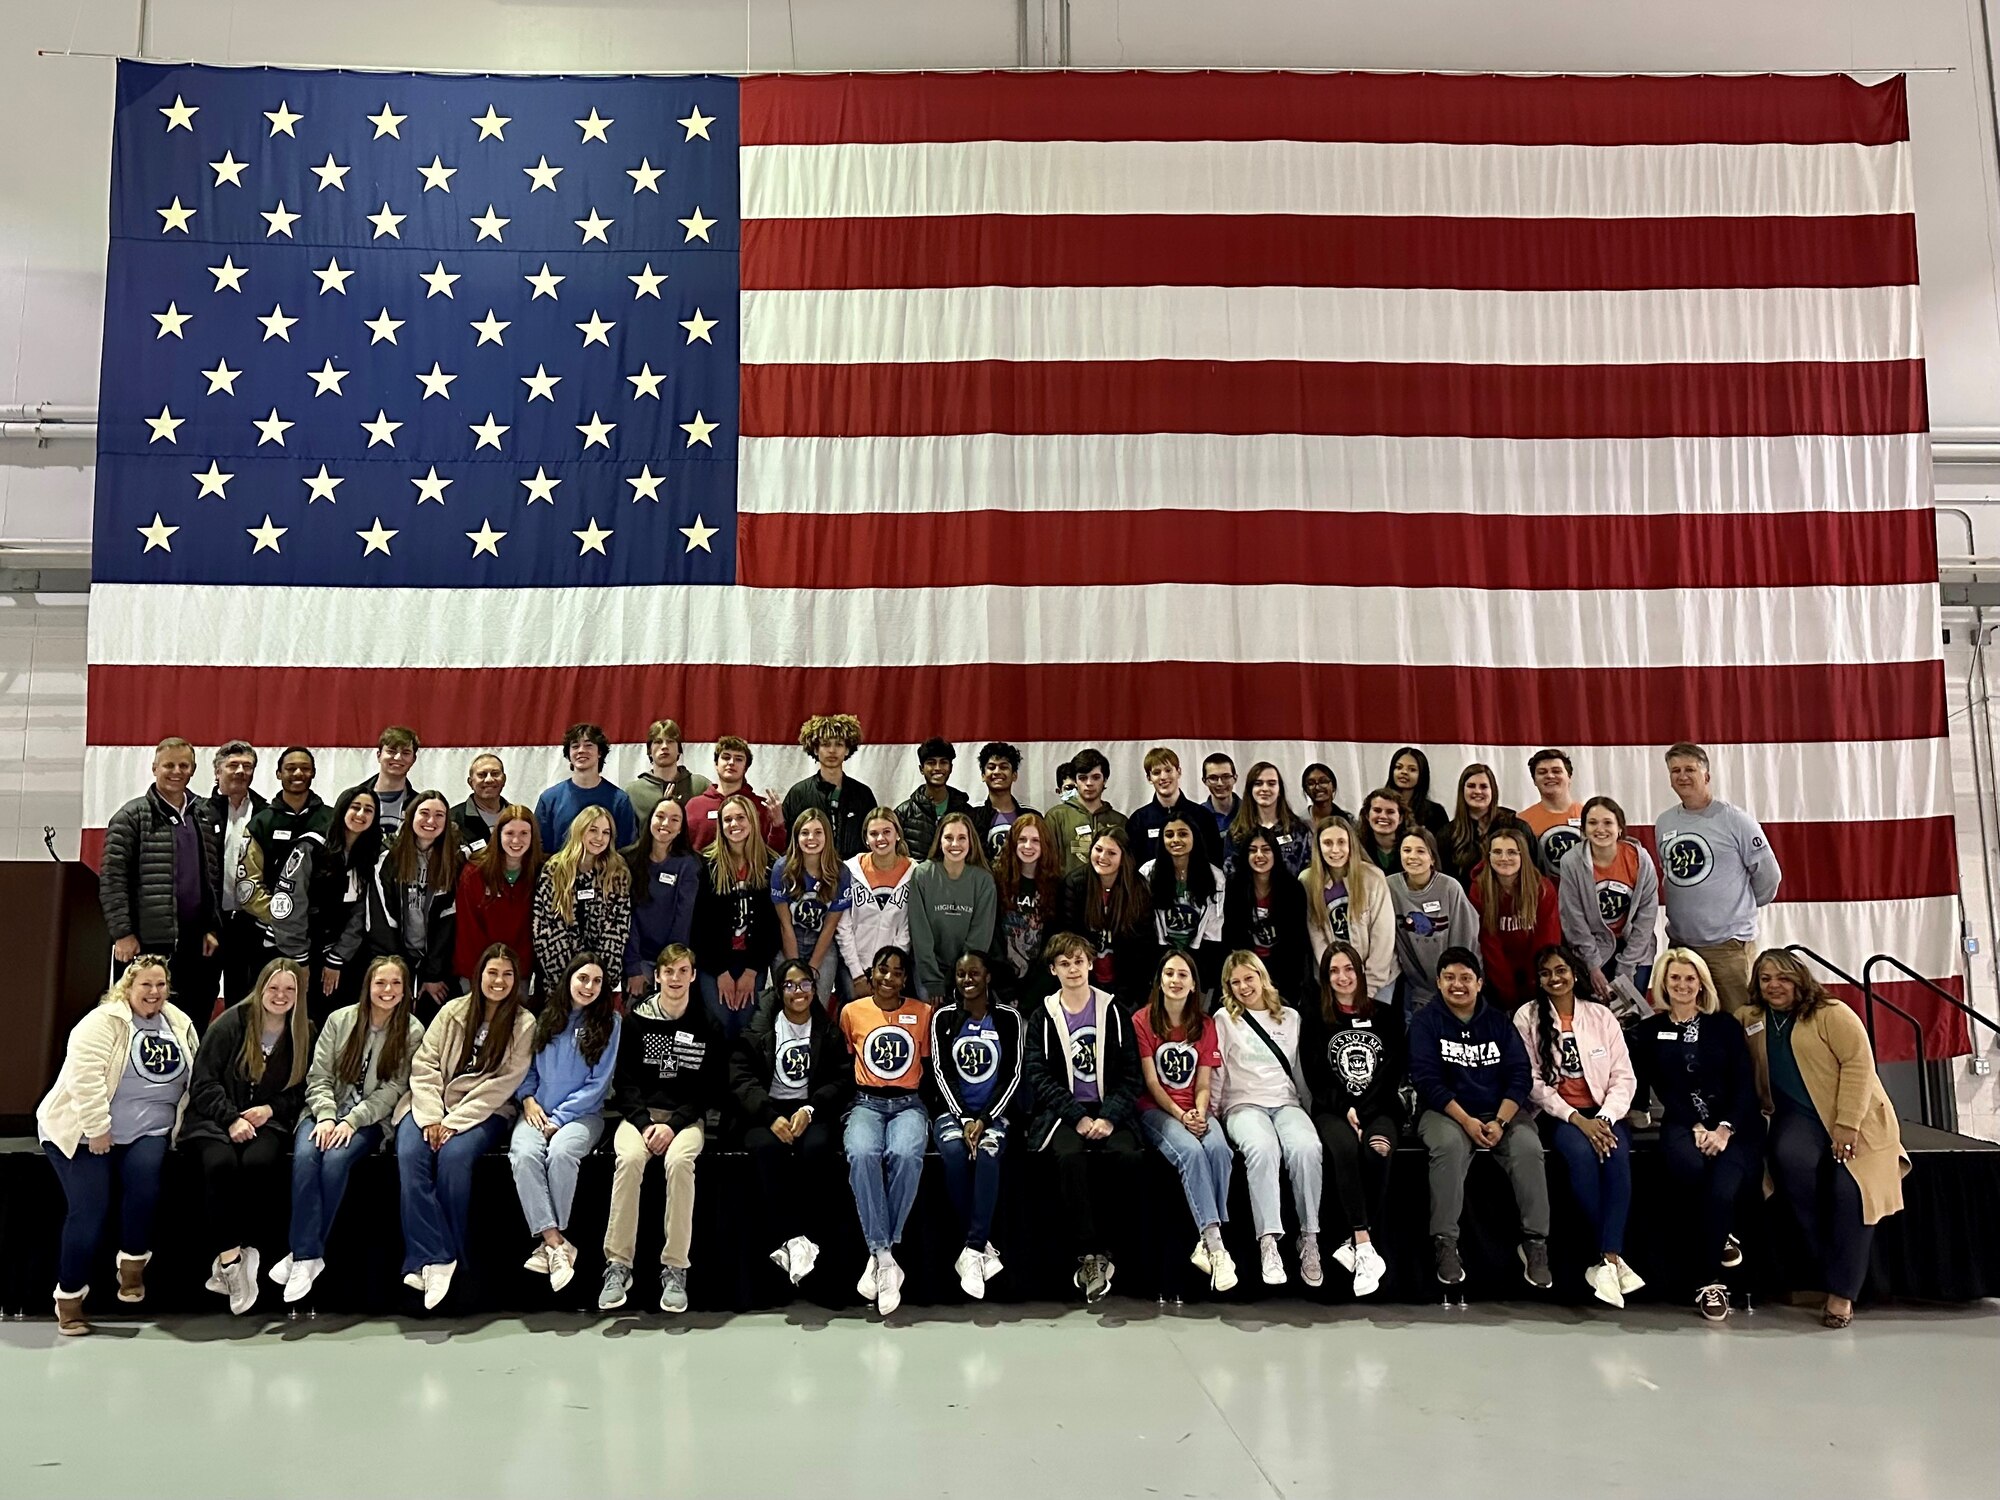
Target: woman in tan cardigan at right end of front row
{"x": 1835, "y": 1145}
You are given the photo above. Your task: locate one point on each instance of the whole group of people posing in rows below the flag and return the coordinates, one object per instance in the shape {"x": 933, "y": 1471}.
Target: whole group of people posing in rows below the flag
{"x": 1225, "y": 979}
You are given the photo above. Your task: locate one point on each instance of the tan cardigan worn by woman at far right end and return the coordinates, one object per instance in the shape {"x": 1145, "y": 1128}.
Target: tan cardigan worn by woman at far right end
{"x": 1837, "y": 1063}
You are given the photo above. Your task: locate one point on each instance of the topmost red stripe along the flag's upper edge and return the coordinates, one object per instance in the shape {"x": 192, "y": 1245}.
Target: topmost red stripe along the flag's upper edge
{"x": 1631, "y": 111}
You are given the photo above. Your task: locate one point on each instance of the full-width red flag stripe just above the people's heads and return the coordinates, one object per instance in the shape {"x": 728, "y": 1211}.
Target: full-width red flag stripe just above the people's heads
{"x": 1063, "y": 701}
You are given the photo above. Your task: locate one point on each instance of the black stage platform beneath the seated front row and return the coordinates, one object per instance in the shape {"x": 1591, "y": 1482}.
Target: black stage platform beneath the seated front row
{"x": 1945, "y": 1247}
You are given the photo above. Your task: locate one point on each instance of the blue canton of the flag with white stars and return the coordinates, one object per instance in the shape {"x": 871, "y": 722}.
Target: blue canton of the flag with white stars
{"x": 413, "y": 331}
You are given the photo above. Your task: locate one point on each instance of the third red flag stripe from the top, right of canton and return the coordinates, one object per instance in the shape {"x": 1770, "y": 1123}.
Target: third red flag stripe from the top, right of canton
{"x": 1361, "y": 399}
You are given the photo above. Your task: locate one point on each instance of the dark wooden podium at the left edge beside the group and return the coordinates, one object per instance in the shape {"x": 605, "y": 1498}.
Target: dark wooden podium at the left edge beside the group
{"x": 59, "y": 955}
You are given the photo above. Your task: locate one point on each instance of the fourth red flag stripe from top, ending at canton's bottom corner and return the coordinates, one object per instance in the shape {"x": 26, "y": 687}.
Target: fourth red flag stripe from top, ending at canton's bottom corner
{"x": 1317, "y": 547}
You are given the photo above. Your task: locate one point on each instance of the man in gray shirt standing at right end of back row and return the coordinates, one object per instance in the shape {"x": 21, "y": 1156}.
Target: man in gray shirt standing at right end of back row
{"x": 1719, "y": 871}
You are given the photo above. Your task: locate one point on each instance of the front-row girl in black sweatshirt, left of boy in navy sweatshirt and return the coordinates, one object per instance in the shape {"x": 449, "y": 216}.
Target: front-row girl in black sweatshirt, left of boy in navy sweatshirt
{"x": 1351, "y": 1051}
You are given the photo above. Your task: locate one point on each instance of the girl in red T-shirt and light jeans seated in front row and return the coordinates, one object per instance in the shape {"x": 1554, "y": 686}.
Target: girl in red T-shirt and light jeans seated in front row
{"x": 1179, "y": 1057}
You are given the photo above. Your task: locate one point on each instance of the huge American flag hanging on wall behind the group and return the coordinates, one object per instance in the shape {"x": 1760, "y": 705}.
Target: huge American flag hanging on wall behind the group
{"x": 1289, "y": 415}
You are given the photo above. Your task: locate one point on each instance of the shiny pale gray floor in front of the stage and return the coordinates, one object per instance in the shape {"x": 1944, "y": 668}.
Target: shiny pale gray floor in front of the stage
{"x": 1013, "y": 1407}
